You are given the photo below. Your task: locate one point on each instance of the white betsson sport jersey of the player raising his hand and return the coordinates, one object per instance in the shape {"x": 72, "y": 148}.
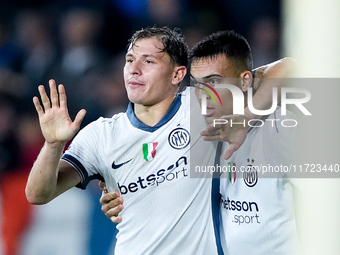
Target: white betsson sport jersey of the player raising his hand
{"x": 165, "y": 211}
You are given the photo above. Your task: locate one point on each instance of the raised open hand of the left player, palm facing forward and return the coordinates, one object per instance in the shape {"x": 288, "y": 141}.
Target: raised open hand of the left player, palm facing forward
{"x": 55, "y": 122}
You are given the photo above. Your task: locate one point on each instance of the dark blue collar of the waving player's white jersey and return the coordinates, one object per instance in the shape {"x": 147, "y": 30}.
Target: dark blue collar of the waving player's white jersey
{"x": 174, "y": 107}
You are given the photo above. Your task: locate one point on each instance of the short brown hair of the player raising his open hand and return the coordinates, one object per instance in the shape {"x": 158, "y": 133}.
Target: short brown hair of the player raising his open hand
{"x": 172, "y": 39}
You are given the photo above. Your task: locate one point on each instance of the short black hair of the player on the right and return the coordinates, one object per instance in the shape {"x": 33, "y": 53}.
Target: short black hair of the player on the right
{"x": 227, "y": 42}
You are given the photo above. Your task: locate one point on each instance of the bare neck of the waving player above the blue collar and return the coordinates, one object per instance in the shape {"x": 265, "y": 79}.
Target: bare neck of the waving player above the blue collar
{"x": 151, "y": 115}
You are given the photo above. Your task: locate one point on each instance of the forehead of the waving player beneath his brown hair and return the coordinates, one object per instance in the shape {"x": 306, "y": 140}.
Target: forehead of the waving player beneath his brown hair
{"x": 146, "y": 46}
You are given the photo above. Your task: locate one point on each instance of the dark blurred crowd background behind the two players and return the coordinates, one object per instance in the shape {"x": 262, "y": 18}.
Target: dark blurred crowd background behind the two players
{"x": 82, "y": 45}
